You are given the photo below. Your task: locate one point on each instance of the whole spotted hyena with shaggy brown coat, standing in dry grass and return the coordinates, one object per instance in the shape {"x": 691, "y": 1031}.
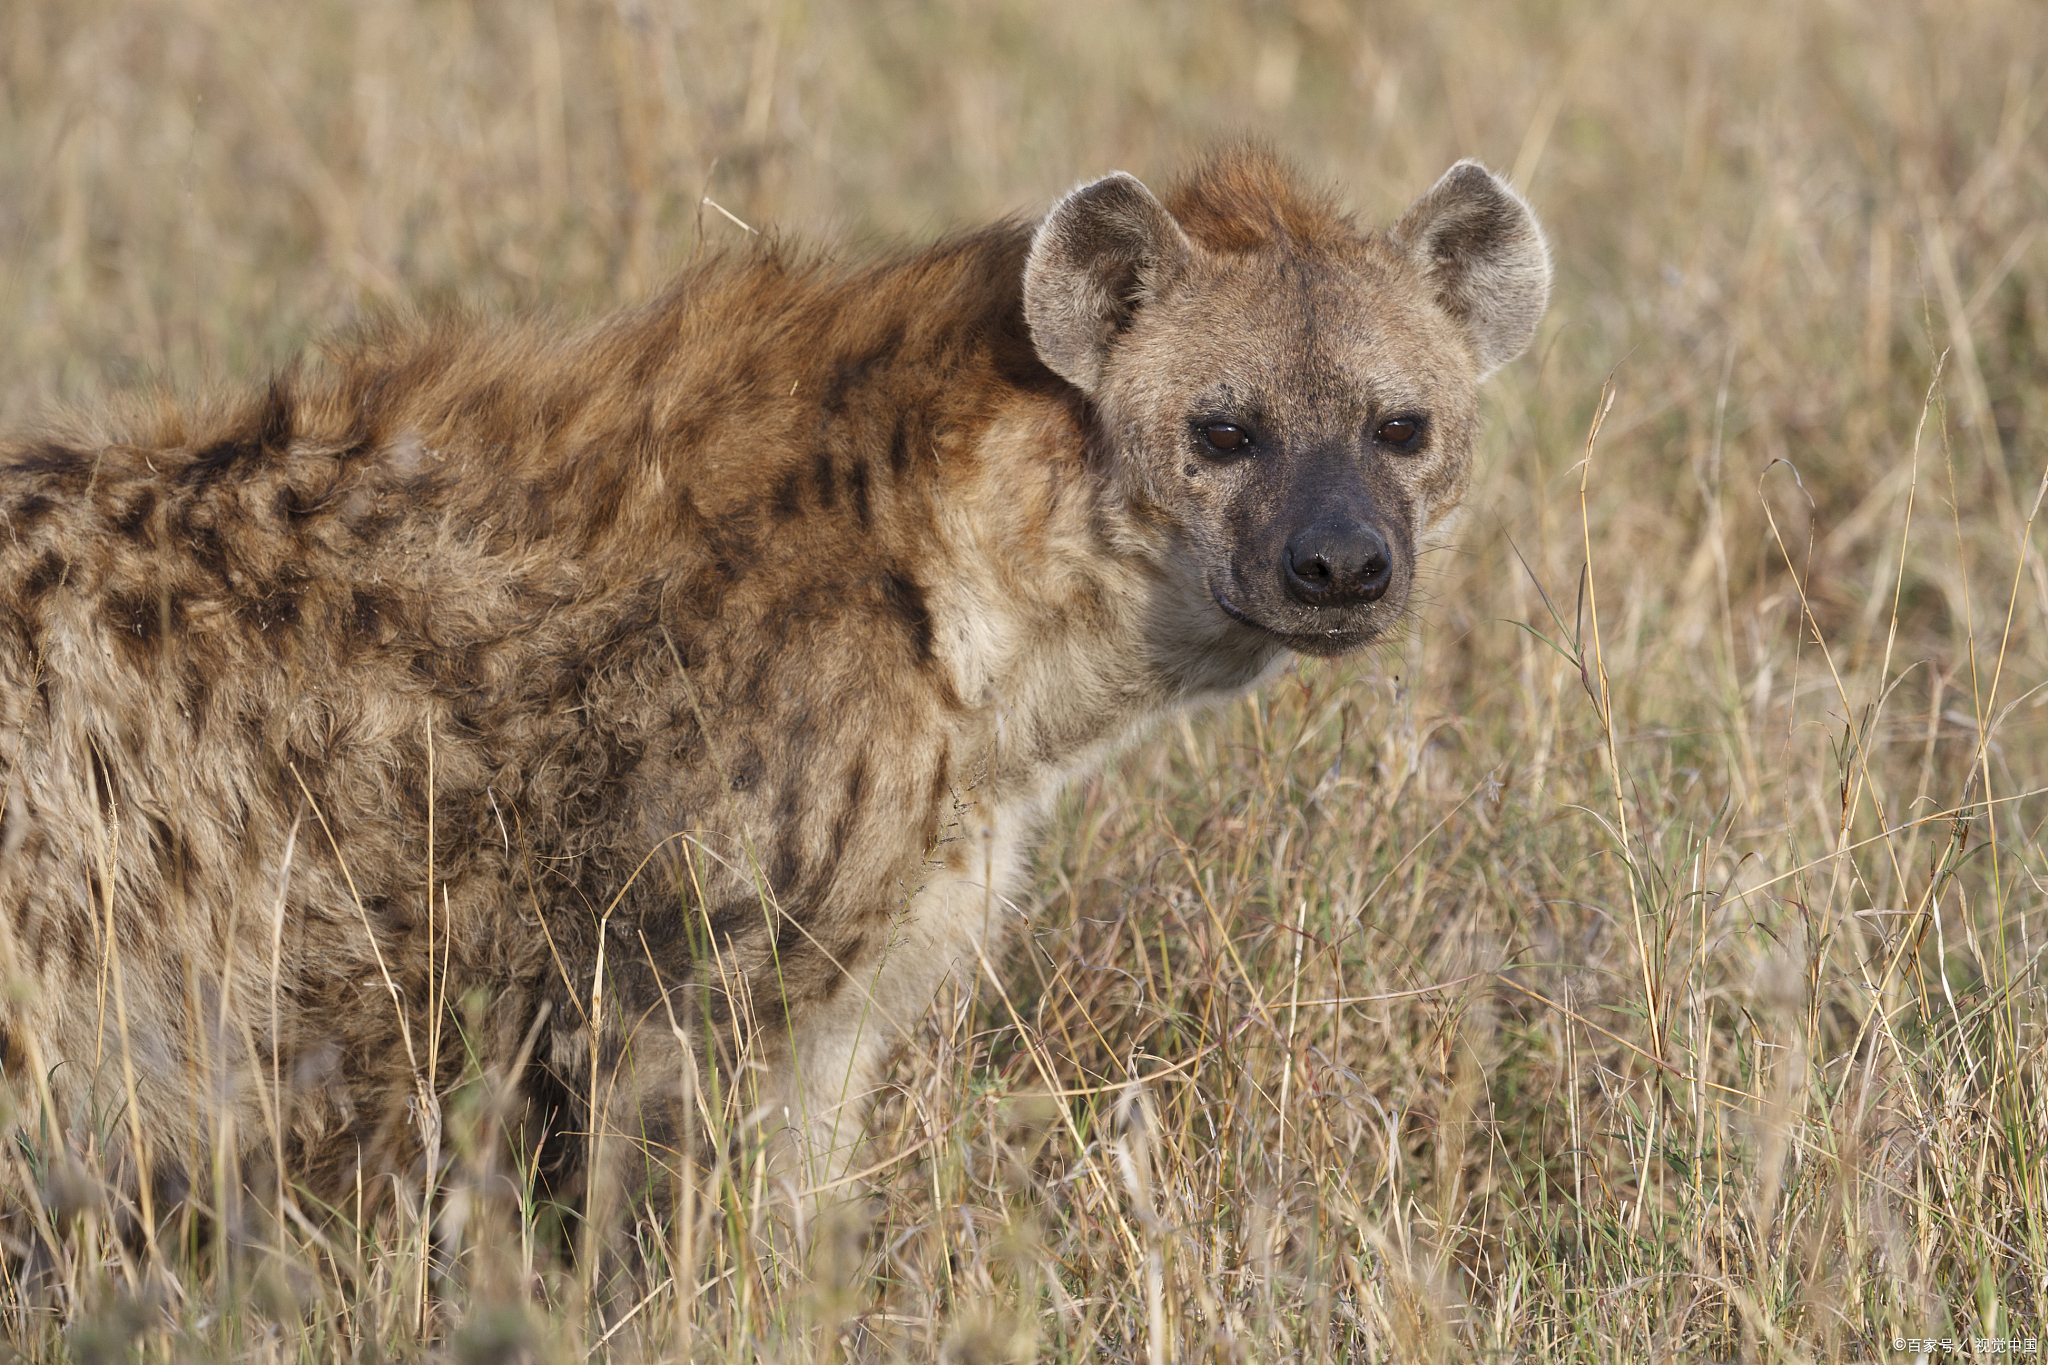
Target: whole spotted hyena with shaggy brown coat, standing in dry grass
{"x": 656, "y": 715}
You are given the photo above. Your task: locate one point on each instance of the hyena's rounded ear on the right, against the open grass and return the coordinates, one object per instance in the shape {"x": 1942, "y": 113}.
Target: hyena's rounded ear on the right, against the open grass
{"x": 1484, "y": 251}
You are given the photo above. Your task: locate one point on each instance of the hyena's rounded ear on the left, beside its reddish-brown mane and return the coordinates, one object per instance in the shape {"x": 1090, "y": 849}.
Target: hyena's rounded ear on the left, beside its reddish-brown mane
{"x": 1107, "y": 251}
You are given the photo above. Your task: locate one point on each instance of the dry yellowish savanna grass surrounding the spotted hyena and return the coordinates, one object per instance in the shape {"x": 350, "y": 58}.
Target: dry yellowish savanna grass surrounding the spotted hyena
{"x": 1637, "y": 961}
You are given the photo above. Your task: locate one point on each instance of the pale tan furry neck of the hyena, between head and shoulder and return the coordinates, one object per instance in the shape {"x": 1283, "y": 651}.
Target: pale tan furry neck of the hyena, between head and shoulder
{"x": 1062, "y": 607}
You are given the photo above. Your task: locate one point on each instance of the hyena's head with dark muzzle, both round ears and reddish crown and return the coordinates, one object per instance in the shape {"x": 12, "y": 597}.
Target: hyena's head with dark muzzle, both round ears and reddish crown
{"x": 1295, "y": 400}
